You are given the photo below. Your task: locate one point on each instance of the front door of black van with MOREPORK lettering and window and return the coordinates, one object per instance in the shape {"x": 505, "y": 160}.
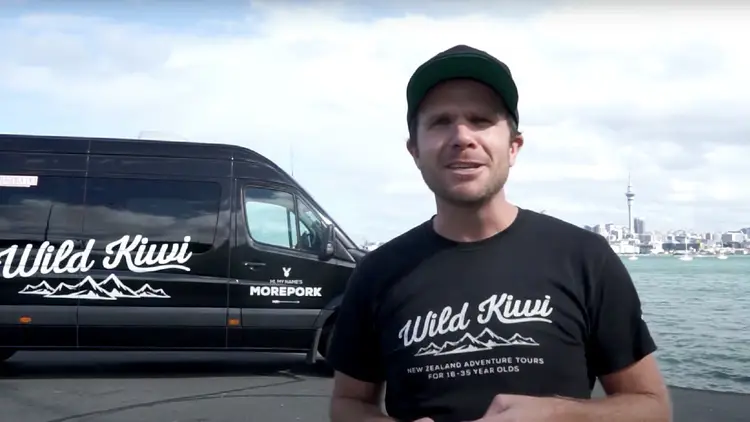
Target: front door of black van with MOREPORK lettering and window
{"x": 279, "y": 285}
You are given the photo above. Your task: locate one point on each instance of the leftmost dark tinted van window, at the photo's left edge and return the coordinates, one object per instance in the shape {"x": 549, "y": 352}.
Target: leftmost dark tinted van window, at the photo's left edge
{"x": 50, "y": 209}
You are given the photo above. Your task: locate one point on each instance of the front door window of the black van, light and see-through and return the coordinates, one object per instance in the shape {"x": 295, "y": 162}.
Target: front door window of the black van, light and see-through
{"x": 275, "y": 218}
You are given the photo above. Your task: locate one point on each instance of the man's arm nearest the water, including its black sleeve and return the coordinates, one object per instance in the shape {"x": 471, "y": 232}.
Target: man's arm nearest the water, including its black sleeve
{"x": 621, "y": 354}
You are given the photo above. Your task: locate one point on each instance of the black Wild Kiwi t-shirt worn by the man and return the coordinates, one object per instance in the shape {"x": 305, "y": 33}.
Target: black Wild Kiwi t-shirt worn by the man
{"x": 541, "y": 309}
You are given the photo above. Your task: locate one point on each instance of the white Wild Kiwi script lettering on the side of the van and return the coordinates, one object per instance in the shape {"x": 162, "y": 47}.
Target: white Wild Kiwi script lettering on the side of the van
{"x": 137, "y": 254}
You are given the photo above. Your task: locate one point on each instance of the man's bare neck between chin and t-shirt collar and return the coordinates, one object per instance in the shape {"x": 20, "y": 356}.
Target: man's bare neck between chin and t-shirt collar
{"x": 466, "y": 224}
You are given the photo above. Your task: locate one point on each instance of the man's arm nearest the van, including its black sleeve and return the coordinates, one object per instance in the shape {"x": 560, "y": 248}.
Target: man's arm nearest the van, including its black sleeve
{"x": 355, "y": 354}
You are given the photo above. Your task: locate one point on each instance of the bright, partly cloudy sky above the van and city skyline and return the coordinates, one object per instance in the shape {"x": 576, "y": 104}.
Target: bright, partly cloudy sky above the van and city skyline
{"x": 319, "y": 87}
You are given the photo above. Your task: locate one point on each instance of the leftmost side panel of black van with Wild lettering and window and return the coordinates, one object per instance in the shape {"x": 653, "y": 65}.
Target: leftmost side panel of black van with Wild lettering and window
{"x": 41, "y": 252}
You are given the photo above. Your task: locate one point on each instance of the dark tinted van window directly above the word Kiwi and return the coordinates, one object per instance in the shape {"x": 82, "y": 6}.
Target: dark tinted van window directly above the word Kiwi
{"x": 162, "y": 210}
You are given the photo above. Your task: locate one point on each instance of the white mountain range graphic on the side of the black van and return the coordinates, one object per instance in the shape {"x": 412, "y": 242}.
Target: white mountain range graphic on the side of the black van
{"x": 88, "y": 289}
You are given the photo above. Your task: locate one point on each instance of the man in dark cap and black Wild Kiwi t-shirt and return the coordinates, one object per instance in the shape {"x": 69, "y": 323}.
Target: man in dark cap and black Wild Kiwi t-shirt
{"x": 487, "y": 311}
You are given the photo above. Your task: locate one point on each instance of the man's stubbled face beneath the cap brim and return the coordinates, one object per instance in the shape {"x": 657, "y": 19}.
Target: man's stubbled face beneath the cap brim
{"x": 464, "y": 146}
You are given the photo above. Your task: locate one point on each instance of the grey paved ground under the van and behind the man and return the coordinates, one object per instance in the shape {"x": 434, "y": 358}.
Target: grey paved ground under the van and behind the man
{"x": 210, "y": 387}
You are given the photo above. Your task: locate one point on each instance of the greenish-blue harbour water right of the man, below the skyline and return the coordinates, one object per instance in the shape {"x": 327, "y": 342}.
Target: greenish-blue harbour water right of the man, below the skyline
{"x": 699, "y": 314}
